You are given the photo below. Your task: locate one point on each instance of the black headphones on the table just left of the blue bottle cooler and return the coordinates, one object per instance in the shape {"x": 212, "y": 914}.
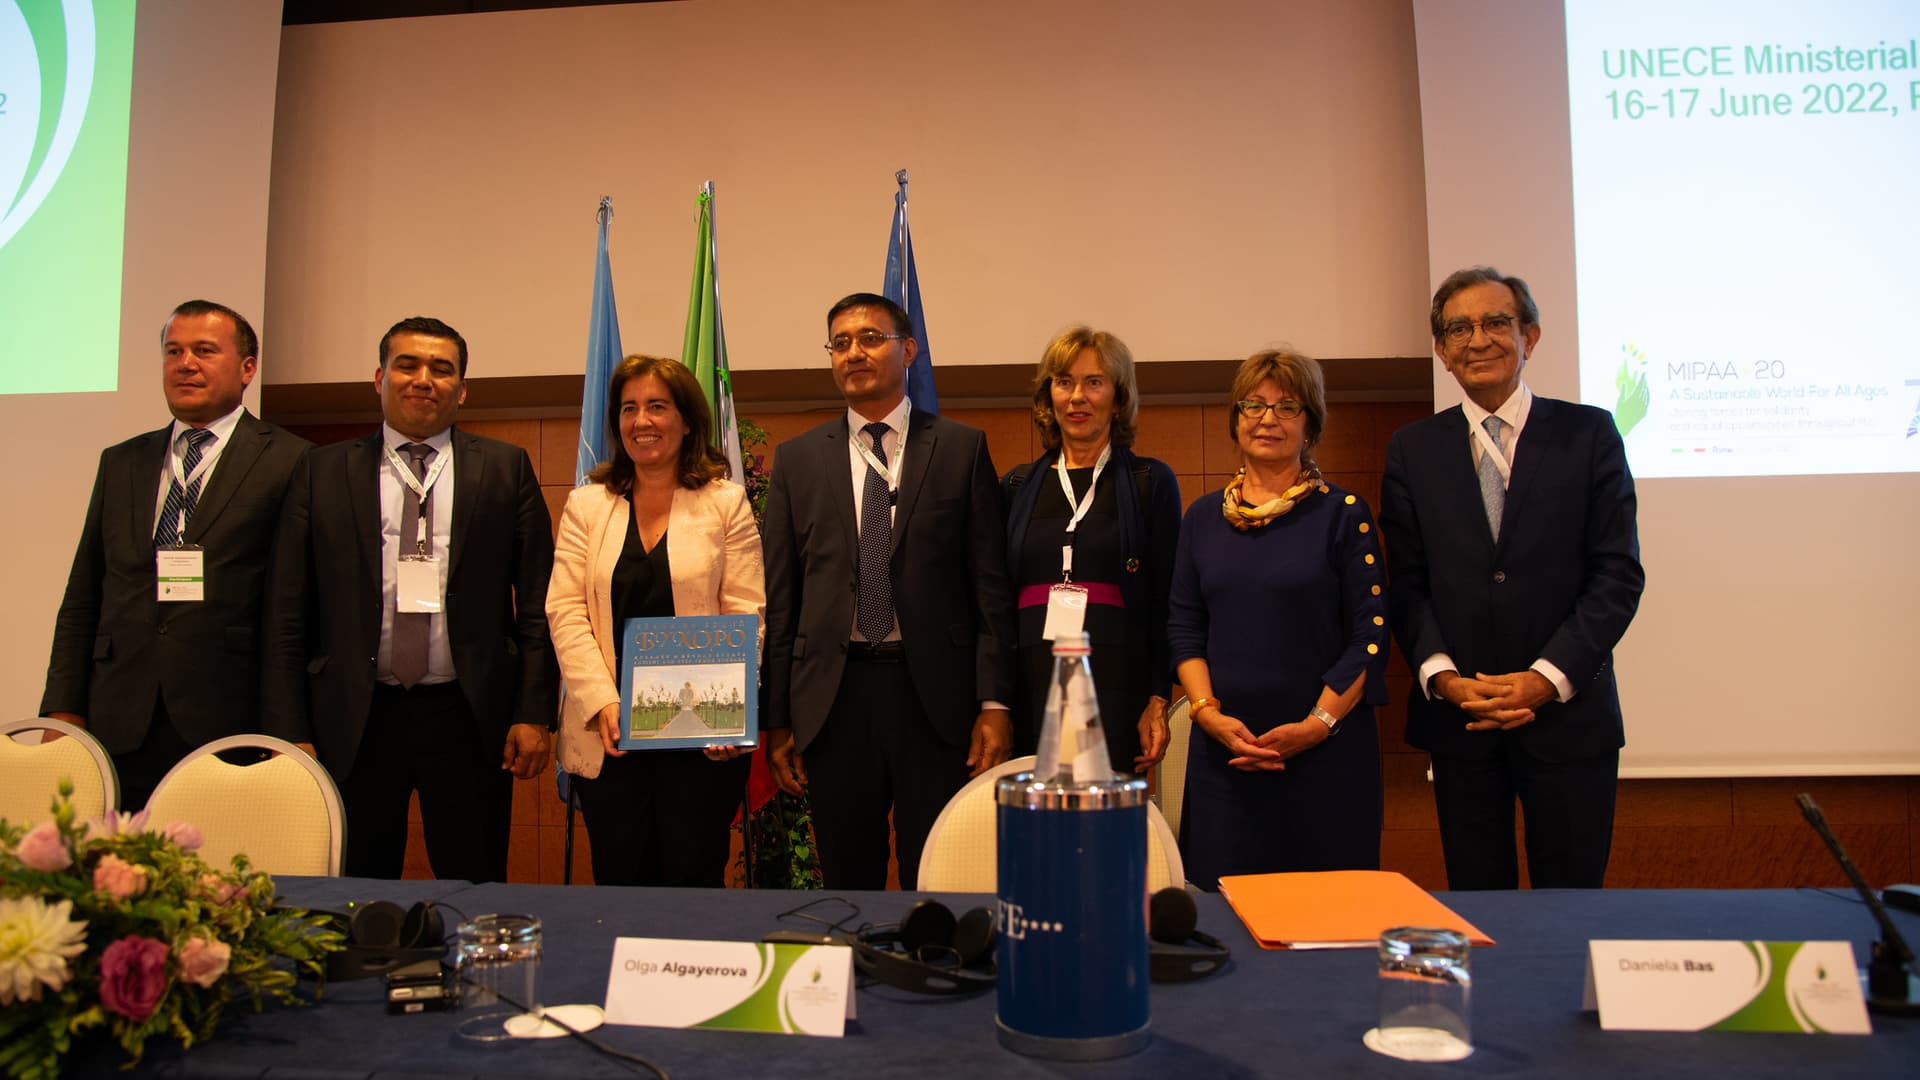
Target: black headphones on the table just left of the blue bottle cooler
{"x": 930, "y": 952}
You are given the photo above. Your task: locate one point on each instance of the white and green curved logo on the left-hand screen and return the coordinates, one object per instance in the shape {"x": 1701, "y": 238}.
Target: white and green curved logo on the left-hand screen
{"x": 47, "y": 78}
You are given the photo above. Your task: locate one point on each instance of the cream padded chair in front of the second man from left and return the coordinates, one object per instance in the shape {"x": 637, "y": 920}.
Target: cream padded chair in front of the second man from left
{"x": 283, "y": 814}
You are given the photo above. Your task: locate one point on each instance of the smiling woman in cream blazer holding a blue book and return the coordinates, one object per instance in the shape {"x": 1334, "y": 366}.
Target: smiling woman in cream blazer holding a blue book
{"x": 660, "y": 531}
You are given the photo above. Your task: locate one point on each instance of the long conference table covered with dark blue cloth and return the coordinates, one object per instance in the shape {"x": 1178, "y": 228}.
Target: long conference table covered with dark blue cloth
{"x": 1270, "y": 1014}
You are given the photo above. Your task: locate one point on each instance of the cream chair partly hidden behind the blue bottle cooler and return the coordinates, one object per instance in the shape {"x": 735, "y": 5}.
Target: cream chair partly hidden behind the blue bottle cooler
{"x": 963, "y": 850}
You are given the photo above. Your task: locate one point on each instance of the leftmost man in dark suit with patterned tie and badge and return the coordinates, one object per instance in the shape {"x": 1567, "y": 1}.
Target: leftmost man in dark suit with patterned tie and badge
{"x": 156, "y": 675}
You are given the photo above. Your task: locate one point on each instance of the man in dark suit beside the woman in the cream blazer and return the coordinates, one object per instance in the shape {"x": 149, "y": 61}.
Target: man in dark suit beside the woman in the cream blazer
{"x": 410, "y": 633}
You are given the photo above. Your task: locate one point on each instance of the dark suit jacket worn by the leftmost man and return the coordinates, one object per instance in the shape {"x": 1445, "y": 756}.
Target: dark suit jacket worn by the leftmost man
{"x": 116, "y": 645}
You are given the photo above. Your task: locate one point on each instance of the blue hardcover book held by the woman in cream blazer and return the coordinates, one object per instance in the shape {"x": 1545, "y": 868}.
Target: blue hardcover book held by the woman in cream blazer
{"x": 690, "y": 681}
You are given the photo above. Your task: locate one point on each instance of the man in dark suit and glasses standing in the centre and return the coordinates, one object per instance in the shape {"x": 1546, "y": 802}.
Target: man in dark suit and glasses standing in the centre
{"x": 890, "y": 618}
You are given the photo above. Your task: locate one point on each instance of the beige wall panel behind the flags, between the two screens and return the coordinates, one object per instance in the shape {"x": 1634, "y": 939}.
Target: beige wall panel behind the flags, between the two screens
{"x": 1203, "y": 178}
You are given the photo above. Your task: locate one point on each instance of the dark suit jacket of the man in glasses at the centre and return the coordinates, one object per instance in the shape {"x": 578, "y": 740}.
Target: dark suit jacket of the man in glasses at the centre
{"x": 949, "y": 577}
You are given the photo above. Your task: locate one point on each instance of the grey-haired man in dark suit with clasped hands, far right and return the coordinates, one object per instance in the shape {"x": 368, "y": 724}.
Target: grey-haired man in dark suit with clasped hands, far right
{"x": 1514, "y": 572}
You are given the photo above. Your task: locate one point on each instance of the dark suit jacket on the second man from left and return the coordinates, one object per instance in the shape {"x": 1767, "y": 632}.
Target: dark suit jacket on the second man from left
{"x": 327, "y": 597}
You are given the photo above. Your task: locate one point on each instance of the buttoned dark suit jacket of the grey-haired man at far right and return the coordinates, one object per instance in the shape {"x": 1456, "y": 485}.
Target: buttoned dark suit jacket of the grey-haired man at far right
{"x": 1562, "y": 583}
